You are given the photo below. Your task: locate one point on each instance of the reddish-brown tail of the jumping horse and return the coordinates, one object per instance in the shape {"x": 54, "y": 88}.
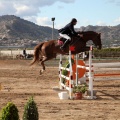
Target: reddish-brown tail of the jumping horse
{"x": 37, "y": 52}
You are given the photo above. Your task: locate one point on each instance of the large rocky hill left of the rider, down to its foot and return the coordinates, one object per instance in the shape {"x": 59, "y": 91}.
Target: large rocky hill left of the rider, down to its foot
{"x": 14, "y": 29}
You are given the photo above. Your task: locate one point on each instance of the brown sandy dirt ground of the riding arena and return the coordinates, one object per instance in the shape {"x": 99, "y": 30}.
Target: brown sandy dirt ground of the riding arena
{"x": 19, "y": 82}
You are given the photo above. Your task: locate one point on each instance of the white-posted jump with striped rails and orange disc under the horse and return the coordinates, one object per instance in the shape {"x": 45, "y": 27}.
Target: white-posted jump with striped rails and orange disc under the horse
{"x": 76, "y": 69}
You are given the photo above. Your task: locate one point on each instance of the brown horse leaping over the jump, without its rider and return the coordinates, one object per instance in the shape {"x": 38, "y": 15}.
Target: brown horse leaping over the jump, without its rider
{"x": 48, "y": 50}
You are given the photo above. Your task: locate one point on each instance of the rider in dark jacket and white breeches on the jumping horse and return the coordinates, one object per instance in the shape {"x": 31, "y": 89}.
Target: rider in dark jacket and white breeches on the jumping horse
{"x": 67, "y": 32}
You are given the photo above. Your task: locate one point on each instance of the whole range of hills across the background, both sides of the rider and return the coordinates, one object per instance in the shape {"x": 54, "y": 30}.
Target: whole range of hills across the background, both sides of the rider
{"x": 15, "y": 31}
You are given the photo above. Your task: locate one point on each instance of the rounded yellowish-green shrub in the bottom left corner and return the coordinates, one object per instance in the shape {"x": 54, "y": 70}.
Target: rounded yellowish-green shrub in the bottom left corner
{"x": 10, "y": 112}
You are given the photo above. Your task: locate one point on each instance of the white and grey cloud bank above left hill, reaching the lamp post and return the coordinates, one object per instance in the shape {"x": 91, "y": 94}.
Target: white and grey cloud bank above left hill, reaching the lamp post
{"x": 29, "y": 9}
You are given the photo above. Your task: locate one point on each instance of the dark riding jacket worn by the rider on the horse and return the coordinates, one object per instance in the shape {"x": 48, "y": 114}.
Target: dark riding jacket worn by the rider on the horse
{"x": 69, "y": 30}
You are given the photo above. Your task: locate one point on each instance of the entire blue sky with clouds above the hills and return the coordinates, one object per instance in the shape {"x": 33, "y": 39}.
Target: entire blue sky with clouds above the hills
{"x": 87, "y": 12}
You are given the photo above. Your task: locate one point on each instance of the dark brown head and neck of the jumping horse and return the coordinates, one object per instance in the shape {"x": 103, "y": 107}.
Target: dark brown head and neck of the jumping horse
{"x": 94, "y": 36}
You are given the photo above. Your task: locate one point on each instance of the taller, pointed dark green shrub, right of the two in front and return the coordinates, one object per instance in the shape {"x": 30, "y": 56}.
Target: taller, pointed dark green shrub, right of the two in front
{"x": 30, "y": 110}
